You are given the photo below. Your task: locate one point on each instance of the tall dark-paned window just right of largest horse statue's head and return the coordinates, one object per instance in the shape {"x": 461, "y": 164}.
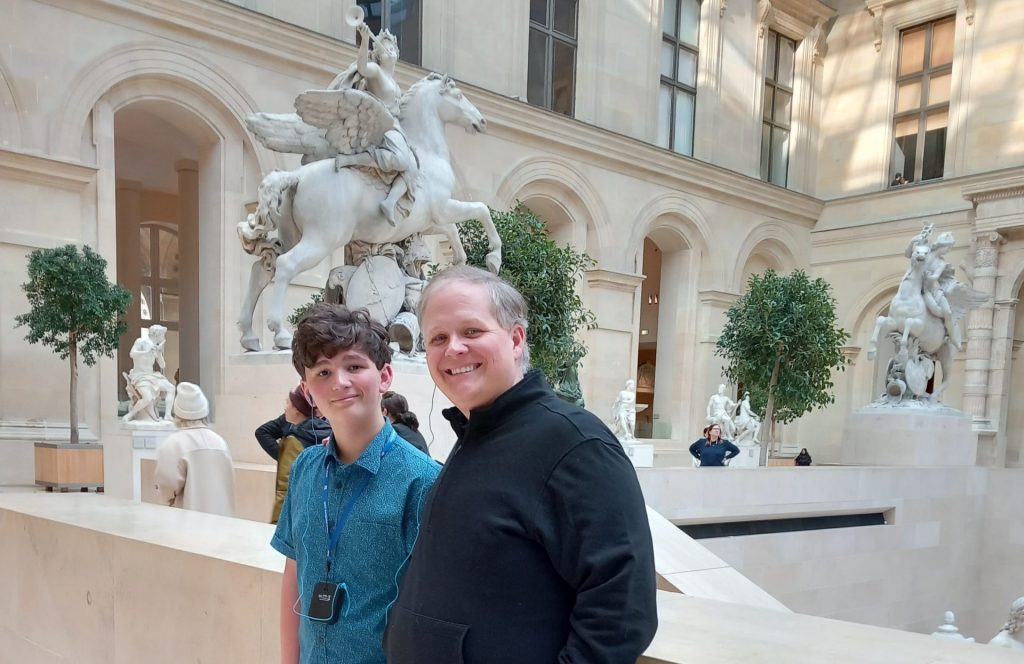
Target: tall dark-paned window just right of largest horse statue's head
{"x": 551, "y": 75}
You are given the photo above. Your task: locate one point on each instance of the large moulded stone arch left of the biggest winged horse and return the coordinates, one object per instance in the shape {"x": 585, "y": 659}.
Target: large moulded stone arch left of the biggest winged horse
{"x": 179, "y": 69}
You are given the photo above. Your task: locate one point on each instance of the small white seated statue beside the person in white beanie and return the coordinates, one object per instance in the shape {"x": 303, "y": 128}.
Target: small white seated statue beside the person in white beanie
{"x": 146, "y": 385}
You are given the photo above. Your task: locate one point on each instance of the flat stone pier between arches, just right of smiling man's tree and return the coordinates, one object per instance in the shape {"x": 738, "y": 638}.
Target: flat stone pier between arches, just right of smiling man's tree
{"x": 613, "y": 346}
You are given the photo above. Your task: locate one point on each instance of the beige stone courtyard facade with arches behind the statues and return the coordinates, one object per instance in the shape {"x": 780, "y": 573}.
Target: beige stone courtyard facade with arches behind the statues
{"x": 124, "y": 116}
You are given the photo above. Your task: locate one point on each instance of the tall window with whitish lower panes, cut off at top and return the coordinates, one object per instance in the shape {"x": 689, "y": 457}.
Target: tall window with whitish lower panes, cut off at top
{"x": 677, "y": 98}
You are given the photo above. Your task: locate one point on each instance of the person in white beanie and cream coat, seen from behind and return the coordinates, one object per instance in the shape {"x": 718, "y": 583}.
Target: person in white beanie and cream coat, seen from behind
{"x": 194, "y": 465}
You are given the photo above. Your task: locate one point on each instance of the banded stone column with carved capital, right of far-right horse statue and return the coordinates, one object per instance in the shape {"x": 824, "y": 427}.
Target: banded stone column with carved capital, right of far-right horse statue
{"x": 979, "y": 330}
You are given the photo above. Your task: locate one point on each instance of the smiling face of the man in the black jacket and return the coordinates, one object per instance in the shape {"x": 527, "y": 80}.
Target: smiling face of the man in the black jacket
{"x": 472, "y": 359}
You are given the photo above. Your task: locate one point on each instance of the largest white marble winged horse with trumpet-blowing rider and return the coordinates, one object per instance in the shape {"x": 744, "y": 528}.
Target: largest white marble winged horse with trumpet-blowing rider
{"x": 376, "y": 170}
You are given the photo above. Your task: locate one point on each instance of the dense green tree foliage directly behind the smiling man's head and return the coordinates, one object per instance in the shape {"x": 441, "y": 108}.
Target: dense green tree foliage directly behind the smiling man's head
{"x": 547, "y": 276}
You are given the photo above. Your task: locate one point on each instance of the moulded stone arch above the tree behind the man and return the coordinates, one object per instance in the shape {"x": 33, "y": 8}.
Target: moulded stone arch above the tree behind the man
{"x": 561, "y": 188}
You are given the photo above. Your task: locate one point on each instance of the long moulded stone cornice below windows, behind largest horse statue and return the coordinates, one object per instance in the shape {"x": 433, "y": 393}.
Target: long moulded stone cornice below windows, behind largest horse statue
{"x": 285, "y": 48}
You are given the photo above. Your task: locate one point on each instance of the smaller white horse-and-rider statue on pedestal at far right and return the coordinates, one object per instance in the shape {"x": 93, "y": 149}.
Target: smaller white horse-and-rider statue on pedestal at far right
{"x": 924, "y": 321}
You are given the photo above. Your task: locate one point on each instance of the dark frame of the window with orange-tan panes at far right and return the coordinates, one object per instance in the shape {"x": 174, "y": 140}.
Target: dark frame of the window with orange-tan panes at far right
{"x": 925, "y": 76}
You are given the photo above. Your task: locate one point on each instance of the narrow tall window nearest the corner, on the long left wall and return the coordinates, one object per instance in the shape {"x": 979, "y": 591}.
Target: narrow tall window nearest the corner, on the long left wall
{"x": 778, "y": 108}
